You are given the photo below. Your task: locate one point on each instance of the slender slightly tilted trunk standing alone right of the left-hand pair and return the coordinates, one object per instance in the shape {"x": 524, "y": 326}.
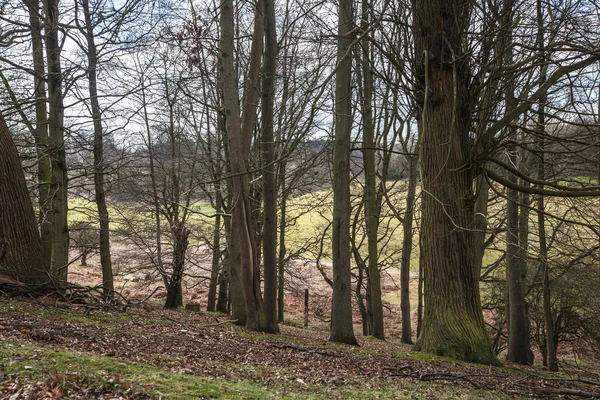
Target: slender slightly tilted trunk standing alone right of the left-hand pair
{"x": 103, "y": 217}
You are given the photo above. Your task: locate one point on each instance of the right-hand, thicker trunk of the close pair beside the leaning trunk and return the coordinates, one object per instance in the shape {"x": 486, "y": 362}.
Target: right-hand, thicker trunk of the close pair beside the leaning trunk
{"x": 56, "y": 147}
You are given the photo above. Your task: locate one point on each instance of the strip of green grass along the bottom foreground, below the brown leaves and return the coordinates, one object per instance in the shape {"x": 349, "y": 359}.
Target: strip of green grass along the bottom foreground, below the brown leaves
{"x": 67, "y": 370}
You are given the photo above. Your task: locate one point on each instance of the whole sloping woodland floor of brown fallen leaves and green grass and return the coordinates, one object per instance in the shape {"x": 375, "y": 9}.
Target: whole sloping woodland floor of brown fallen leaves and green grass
{"x": 52, "y": 349}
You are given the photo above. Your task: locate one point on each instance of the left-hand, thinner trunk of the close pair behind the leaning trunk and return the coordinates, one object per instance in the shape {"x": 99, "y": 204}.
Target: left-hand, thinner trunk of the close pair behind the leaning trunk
{"x": 41, "y": 128}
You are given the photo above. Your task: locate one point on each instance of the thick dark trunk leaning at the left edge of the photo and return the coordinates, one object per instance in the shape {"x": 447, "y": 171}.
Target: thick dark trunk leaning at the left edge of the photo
{"x": 21, "y": 252}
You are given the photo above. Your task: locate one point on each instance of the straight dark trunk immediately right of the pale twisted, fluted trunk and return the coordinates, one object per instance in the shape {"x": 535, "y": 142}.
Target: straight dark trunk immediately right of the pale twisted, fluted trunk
{"x": 268, "y": 168}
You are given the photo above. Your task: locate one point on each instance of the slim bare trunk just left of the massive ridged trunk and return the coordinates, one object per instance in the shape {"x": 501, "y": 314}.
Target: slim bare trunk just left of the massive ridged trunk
{"x": 407, "y": 243}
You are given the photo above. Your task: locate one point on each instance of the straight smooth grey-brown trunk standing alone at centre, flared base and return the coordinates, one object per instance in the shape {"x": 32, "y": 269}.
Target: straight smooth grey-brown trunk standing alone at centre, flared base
{"x": 341, "y": 305}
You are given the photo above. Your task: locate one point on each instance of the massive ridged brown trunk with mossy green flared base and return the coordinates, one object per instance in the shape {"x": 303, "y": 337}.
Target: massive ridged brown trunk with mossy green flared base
{"x": 453, "y": 323}
